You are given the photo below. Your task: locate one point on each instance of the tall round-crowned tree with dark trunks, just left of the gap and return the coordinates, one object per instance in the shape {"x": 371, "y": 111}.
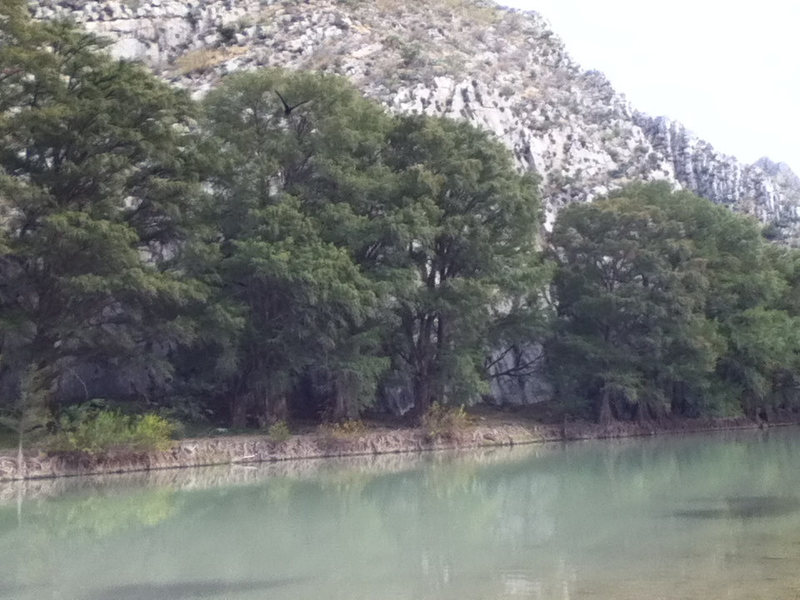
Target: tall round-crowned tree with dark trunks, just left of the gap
{"x": 463, "y": 238}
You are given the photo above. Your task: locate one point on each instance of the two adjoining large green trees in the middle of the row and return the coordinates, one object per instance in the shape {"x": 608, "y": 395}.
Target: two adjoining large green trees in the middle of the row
{"x": 424, "y": 238}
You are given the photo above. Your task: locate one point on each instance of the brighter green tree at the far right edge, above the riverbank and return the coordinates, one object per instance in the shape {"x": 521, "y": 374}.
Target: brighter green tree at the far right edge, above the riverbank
{"x": 746, "y": 301}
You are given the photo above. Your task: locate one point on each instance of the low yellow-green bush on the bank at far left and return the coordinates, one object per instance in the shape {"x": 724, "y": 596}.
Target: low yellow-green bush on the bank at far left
{"x": 99, "y": 431}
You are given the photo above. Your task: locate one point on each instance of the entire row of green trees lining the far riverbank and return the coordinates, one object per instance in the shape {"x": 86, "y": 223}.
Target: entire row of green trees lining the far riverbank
{"x": 288, "y": 249}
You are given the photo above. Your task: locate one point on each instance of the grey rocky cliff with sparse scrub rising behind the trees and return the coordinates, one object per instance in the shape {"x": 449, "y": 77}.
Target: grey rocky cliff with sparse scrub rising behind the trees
{"x": 502, "y": 69}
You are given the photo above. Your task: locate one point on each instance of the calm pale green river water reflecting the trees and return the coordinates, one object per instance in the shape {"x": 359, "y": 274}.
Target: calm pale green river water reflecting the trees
{"x": 696, "y": 517}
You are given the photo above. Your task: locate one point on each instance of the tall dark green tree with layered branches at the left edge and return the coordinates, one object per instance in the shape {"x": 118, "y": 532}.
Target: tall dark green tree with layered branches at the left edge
{"x": 96, "y": 177}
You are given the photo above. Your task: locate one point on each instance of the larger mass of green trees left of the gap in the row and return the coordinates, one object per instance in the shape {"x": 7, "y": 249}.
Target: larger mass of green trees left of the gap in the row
{"x": 245, "y": 260}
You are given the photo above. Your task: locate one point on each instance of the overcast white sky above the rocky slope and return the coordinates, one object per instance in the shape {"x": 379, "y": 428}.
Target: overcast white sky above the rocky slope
{"x": 727, "y": 69}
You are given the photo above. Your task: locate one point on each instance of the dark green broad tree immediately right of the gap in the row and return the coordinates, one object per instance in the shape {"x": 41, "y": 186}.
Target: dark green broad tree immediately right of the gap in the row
{"x": 630, "y": 290}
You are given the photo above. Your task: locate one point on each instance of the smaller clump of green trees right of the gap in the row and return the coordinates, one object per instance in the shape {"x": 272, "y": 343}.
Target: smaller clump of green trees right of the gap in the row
{"x": 670, "y": 304}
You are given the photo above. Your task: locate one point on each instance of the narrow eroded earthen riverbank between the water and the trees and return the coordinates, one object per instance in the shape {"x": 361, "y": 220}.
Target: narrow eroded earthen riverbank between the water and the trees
{"x": 498, "y": 430}
